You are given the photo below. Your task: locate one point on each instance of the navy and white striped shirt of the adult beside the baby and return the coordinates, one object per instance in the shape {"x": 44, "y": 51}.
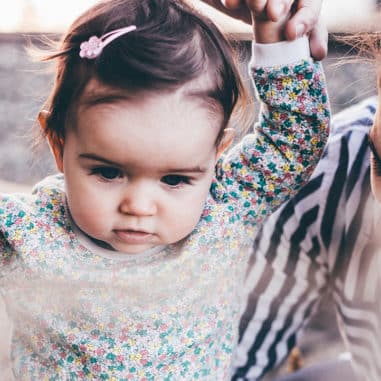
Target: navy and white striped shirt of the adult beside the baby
{"x": 323, "y": 240}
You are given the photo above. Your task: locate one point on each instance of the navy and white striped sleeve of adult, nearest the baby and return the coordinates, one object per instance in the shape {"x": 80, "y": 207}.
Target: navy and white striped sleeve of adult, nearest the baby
{"x": 298, "y": 247}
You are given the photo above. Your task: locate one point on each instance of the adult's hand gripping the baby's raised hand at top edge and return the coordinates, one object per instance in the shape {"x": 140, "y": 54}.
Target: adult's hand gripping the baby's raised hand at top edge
{"x": 305, "y": 18}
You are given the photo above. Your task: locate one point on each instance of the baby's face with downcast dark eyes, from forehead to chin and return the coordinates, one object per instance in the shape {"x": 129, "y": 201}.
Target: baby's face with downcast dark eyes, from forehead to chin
{"x": 138, "y": 171}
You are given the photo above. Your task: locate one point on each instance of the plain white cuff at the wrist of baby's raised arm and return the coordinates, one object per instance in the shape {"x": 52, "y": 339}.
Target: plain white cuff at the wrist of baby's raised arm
{"x": 280, "y": 53}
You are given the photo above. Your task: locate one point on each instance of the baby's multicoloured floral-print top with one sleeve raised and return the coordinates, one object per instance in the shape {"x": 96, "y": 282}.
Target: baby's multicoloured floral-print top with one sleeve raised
{"x": 168, "y": 314}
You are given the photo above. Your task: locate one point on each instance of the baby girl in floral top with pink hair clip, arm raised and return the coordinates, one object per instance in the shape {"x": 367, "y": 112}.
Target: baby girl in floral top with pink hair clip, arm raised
{"x": 128, "y": 264}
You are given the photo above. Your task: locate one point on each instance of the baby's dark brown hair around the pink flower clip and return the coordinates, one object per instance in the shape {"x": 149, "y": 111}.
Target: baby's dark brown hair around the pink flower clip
{"x": 172, "y": 46}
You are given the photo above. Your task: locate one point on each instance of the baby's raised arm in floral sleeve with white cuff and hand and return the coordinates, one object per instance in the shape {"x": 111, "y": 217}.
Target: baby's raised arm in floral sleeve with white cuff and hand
{"x": 269, "y": 165}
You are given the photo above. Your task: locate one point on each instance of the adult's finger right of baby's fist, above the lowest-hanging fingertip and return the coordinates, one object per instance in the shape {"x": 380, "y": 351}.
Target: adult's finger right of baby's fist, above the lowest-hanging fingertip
{"x": 306, "y": 15}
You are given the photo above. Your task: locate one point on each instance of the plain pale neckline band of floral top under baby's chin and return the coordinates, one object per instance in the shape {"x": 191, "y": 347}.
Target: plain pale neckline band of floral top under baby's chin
{"x": 90, "y": 245}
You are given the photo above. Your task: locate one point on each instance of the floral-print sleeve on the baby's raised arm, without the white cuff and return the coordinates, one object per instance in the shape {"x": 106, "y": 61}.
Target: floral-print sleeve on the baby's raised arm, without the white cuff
{"x": 272, "y": 163}
